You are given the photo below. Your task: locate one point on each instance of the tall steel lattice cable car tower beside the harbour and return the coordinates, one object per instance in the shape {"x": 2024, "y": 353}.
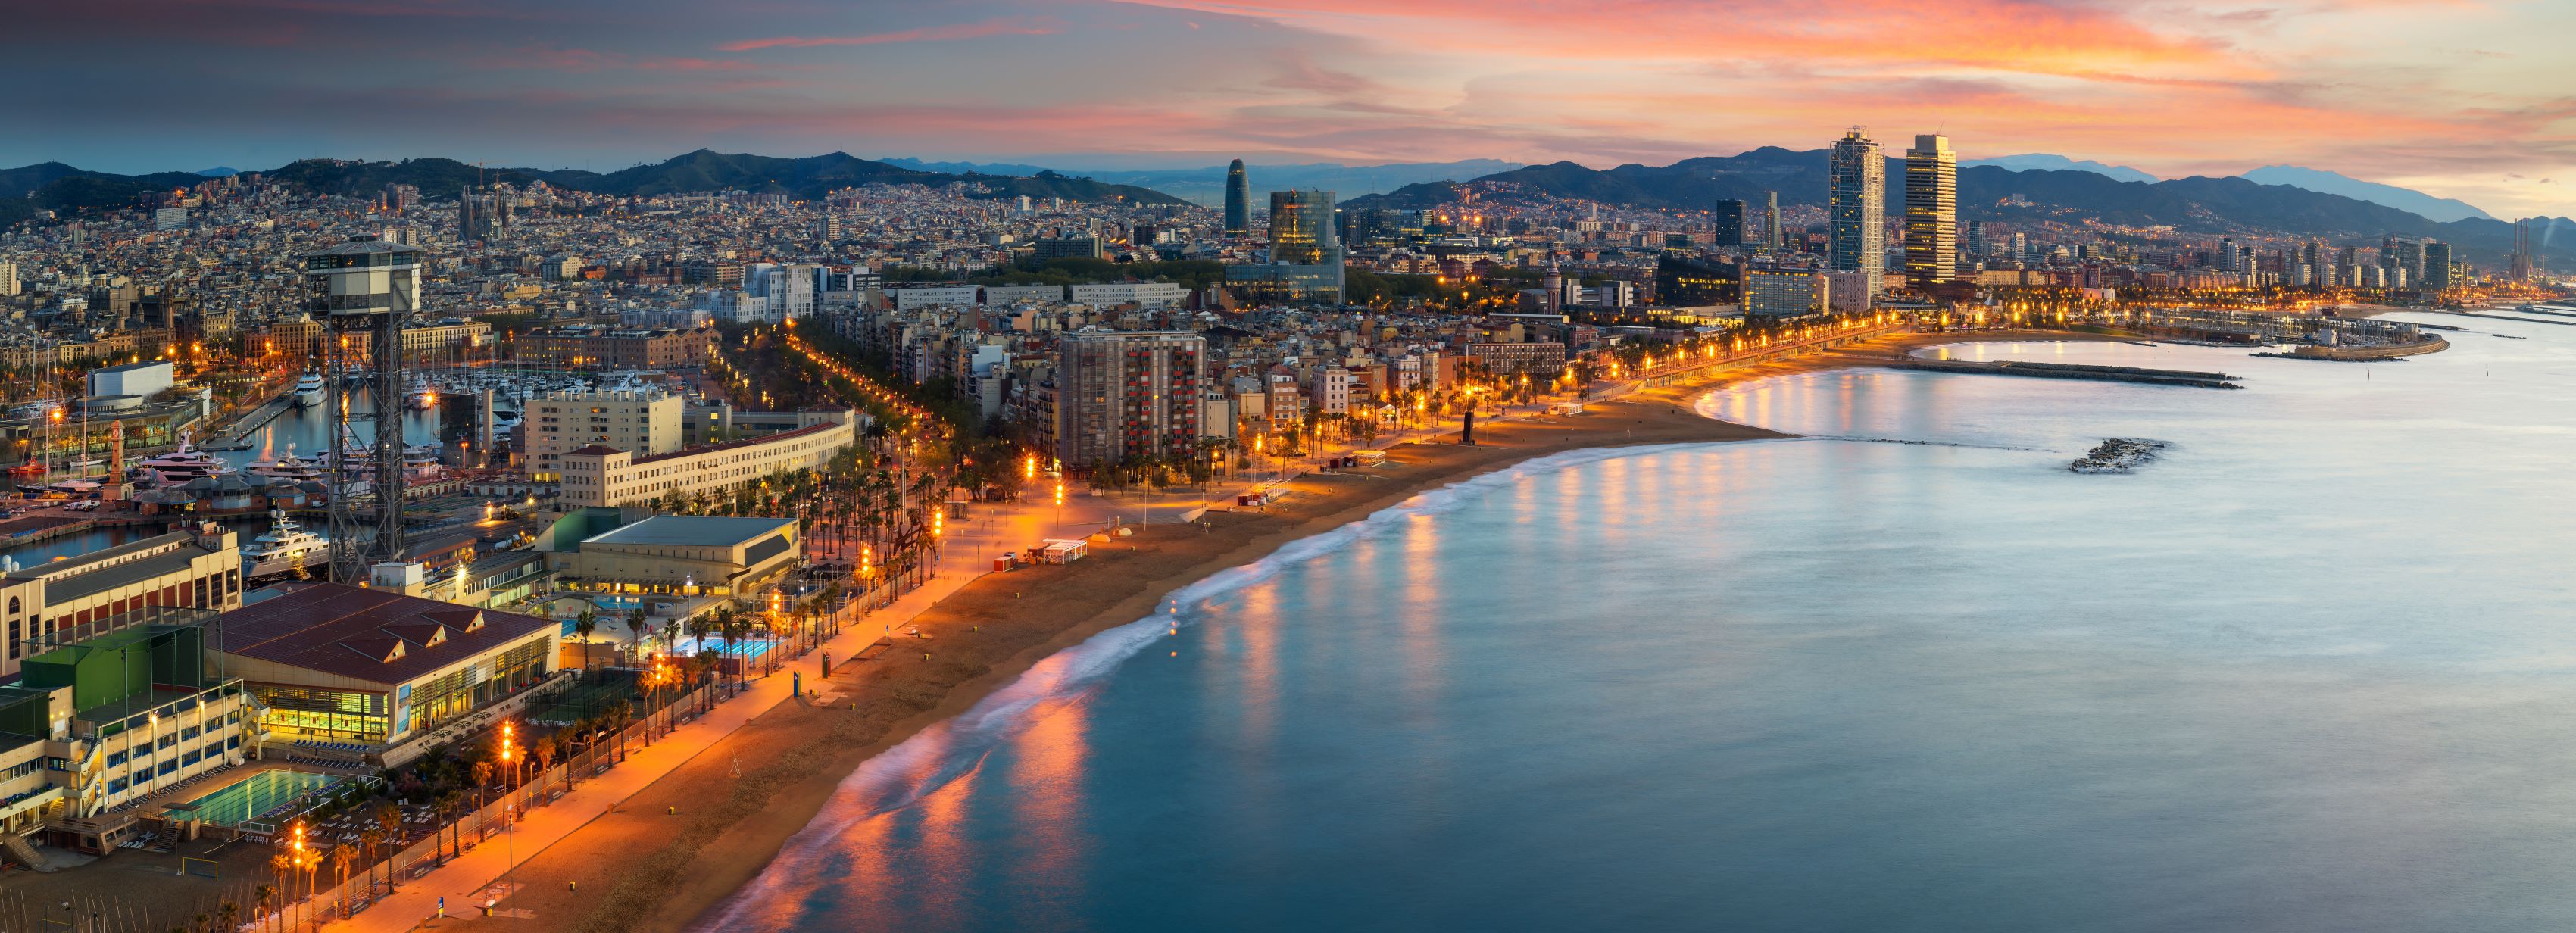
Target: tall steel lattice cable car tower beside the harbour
{"x": 362, "y": 293}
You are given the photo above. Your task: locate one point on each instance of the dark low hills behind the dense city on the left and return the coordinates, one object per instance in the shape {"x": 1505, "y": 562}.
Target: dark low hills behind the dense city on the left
{"x": 68, "y": 189}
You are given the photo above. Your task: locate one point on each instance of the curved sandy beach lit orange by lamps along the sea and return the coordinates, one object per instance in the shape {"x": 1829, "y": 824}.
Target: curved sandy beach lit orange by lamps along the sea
{"x": 743, "y": 800}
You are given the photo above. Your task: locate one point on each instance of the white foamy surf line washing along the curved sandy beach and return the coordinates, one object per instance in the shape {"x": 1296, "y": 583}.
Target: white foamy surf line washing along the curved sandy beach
{"x": 952, "y": 749}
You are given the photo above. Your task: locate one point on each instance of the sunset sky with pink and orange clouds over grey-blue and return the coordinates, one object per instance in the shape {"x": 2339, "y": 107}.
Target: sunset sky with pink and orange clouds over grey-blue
{"x": 2459, "y": 99}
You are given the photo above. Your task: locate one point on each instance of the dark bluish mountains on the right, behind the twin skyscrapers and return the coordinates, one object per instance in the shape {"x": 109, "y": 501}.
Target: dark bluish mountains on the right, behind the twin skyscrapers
{"x": 1985, "y": 192}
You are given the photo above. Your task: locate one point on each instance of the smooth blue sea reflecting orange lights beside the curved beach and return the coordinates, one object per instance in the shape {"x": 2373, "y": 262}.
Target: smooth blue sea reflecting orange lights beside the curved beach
{"x": 2312, "y": 671}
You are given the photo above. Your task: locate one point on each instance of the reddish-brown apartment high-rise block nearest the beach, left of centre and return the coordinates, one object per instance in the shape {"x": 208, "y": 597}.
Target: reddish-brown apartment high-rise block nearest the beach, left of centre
{"x": 1127, "y": 393}
